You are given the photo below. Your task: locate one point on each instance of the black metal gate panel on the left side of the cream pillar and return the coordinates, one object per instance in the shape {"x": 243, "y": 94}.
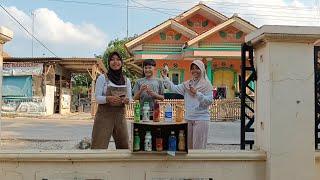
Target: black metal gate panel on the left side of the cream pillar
{"x": 248, "y": 75}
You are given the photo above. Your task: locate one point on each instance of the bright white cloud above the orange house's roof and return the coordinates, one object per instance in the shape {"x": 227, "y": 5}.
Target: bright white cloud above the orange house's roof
{"x": 258, "y": 12}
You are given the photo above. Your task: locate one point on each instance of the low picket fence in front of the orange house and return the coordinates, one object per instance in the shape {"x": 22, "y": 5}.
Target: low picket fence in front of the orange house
{"x": 220, "y": 109}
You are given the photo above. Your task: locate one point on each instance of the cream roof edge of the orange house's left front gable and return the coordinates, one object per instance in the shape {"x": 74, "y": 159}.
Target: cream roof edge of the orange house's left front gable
{"x": 169, "y": 23}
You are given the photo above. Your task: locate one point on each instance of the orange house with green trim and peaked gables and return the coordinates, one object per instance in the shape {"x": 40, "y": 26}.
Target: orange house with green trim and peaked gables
{"x": 199, "y": 33}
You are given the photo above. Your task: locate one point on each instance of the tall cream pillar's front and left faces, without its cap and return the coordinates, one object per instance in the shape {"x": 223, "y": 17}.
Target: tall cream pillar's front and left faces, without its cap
{"x": 285, "y": 109}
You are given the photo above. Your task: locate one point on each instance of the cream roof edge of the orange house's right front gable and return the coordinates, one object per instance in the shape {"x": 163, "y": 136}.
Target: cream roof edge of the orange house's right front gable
{"x": 235, "y": 21}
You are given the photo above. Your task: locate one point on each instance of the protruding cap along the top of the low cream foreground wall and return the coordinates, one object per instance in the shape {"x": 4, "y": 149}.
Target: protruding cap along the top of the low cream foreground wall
{"x": 126, "y": 155}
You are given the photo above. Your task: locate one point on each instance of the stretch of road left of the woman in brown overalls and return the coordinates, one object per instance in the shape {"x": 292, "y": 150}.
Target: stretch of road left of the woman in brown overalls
{"x": 51, "y": 128}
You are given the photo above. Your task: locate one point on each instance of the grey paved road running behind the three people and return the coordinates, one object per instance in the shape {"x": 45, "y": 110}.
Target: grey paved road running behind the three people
{"x": 77, "y": 126}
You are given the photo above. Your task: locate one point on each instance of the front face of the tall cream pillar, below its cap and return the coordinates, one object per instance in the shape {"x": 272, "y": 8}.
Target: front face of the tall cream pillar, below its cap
{"x": 292, "y": 110}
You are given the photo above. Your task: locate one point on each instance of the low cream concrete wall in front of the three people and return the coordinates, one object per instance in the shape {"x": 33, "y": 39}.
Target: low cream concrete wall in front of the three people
{"x": 122, "y": 165}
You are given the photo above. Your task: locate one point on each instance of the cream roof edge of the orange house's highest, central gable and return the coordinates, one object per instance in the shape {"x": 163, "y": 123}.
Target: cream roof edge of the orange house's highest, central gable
{"x": 203, "y": 10}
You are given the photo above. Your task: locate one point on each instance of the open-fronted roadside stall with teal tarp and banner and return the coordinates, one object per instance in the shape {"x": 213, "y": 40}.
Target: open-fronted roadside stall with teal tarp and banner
{"x": 42, "y": 86}
